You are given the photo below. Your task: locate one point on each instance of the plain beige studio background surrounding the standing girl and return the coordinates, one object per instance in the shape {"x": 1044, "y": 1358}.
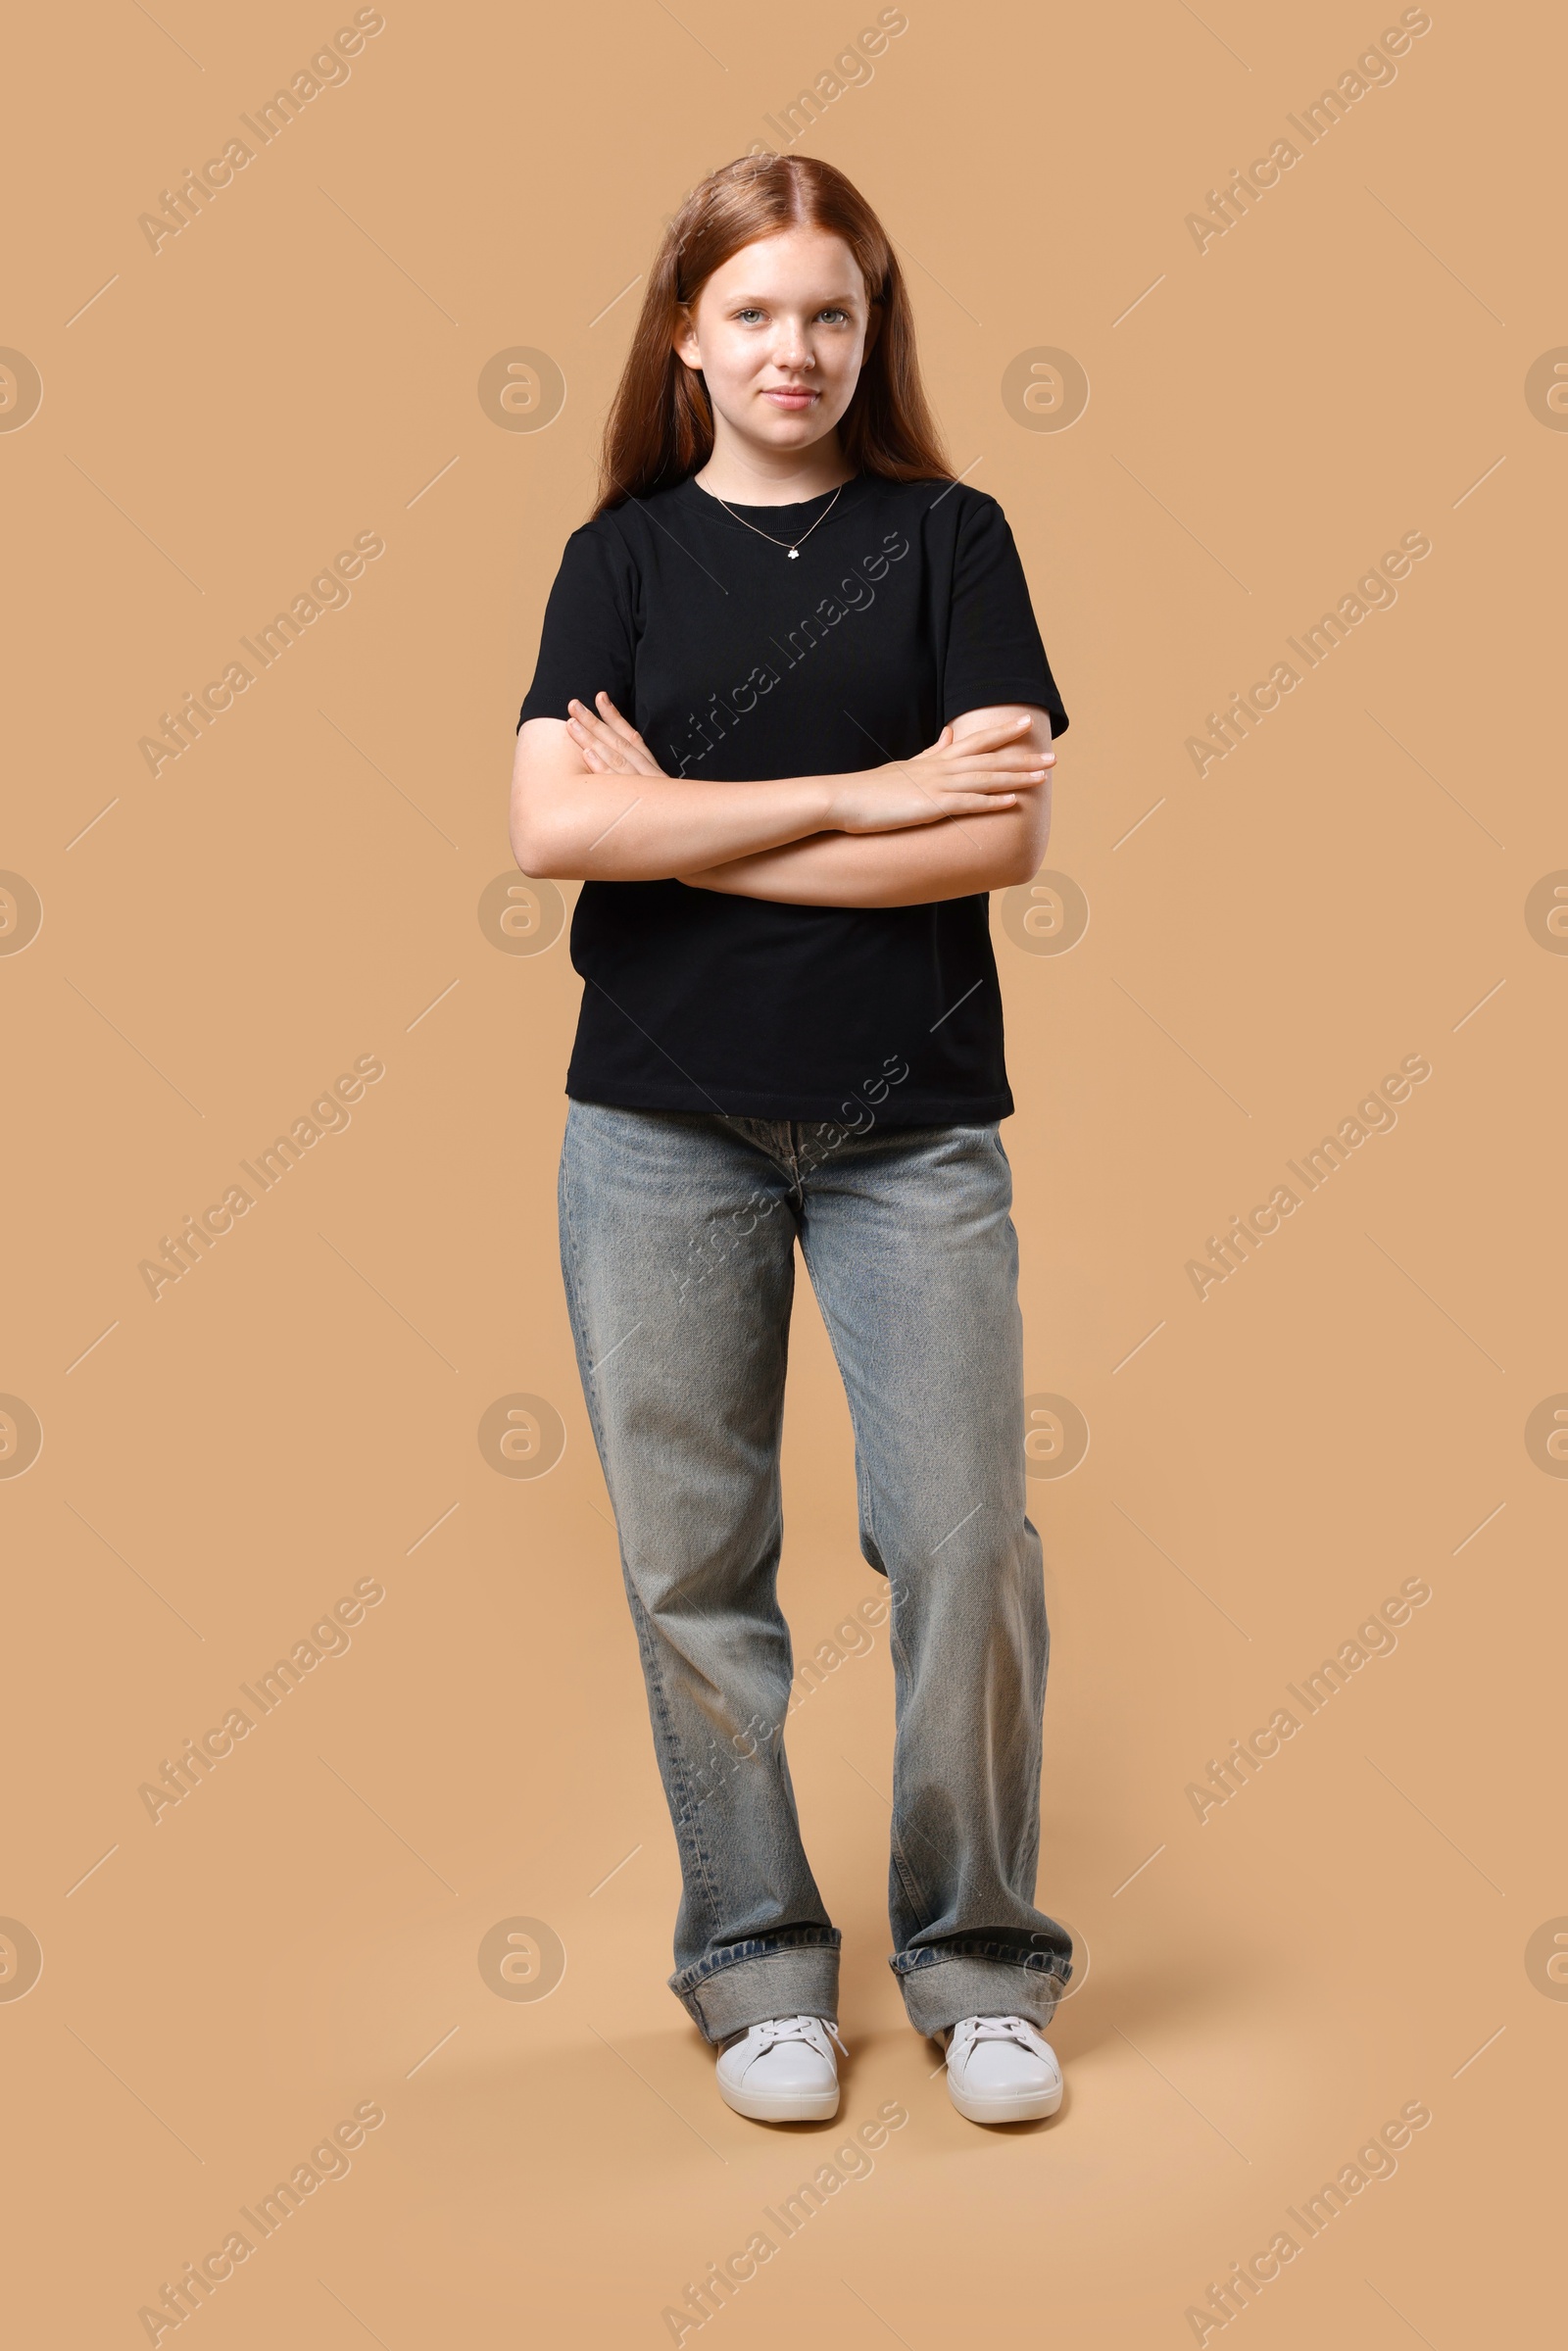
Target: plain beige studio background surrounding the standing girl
{"x": 302, "y": 888}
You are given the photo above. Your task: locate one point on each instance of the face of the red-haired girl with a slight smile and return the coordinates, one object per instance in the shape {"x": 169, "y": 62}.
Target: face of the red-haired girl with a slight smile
{"x": 779, "y": 335}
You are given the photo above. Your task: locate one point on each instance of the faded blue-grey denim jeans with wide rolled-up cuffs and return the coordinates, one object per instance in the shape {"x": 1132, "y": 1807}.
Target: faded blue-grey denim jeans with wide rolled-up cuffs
{"x": 678, "y": 1250}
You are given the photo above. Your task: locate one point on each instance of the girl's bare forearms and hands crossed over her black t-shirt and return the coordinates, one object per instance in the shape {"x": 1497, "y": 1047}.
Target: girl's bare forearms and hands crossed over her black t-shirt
{"x": 967, "y": 815}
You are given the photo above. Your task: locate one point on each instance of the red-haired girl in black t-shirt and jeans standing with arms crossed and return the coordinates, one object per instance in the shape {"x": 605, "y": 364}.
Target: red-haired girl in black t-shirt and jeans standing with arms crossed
{"x": 791, "y": 723}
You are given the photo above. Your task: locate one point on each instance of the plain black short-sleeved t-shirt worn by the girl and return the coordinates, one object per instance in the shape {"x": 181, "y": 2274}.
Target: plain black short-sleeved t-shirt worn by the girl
{"x": 732, "y": 659}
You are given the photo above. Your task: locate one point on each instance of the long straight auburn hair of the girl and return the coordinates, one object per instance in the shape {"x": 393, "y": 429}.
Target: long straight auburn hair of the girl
{"x": 659, "y": 424}
